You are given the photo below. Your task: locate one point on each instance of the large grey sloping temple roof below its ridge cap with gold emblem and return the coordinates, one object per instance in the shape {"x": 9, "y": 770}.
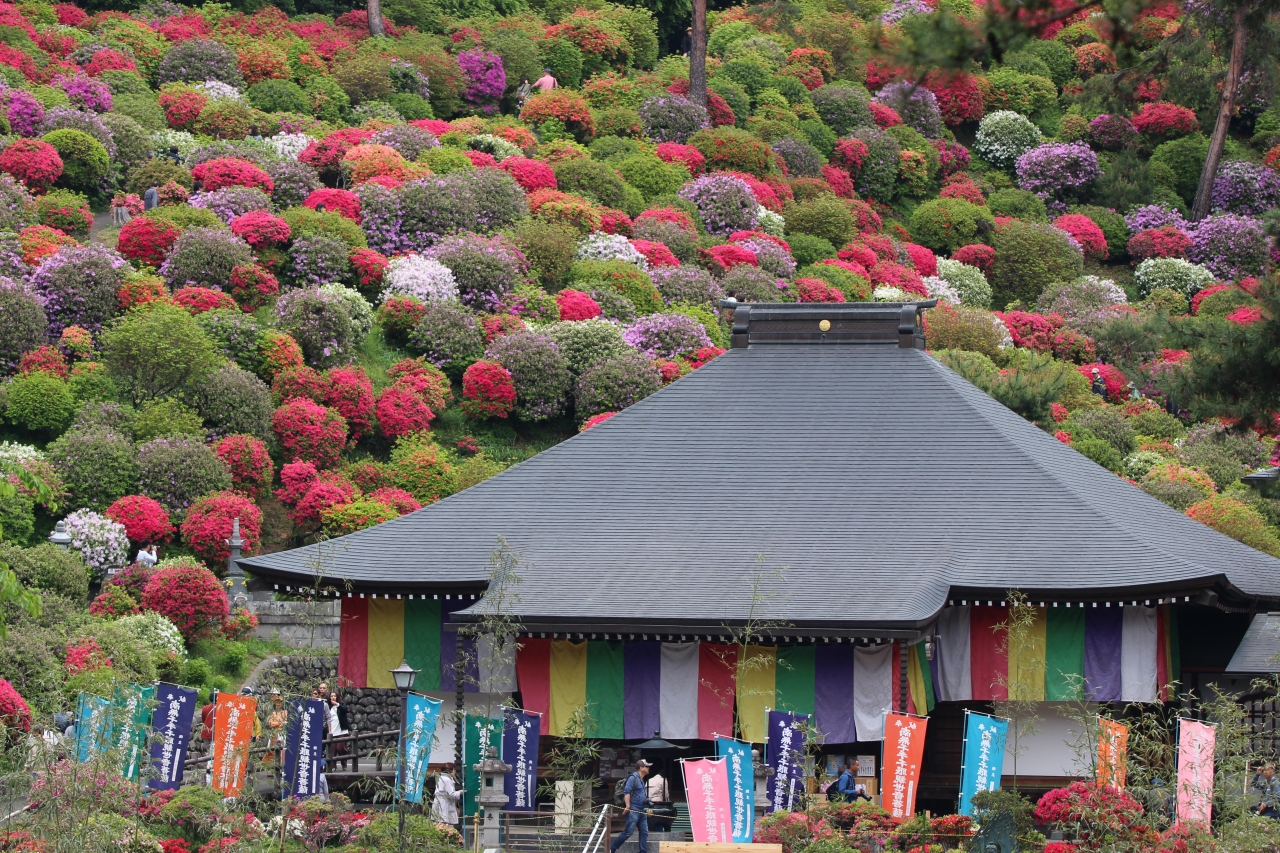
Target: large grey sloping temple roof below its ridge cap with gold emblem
{"x": 874, "y": 477}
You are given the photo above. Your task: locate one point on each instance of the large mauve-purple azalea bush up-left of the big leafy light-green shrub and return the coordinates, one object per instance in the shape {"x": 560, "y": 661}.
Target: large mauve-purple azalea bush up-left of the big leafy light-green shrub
{"x": 77, "y": 286}
